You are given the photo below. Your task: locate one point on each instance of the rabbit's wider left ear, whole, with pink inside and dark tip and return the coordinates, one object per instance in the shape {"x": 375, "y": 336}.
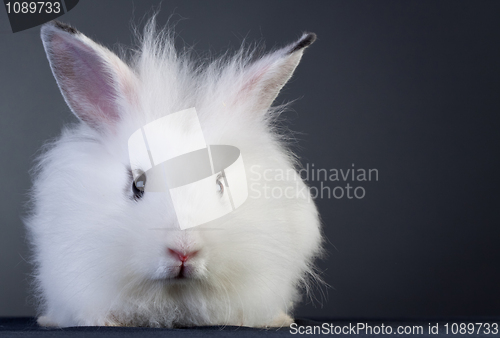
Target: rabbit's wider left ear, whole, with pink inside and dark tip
{"x": 95, "y": 83}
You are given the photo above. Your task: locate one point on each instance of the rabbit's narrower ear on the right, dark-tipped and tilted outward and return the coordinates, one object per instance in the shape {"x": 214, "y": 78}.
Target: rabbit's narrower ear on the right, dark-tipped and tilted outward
{"x": 263, "y": 80}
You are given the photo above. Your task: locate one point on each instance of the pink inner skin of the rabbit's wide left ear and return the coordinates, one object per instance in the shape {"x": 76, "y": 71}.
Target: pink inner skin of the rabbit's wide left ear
{"x": 85, "y": 80}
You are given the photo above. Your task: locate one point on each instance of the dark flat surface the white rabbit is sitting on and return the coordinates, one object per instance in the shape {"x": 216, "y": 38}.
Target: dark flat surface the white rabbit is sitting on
{"x": 27, "y": 327}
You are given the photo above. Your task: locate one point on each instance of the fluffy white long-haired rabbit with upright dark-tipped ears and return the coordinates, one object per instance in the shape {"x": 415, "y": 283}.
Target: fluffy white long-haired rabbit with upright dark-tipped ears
{"x": 106, "y": 253}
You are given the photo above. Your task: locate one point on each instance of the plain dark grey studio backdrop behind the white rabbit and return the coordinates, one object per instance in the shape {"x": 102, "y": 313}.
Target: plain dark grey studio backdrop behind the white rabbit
{"x": 410, "y": 88}
